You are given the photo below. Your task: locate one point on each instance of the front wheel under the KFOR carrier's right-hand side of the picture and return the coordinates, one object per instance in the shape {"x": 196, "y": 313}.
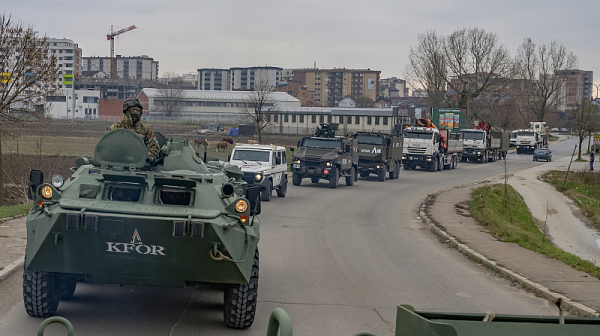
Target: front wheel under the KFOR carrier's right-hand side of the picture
{"x": 240, "y": 300}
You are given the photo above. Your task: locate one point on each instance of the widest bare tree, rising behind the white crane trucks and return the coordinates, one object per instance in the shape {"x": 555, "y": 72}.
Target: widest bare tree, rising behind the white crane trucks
{"x": 458, "y": 68}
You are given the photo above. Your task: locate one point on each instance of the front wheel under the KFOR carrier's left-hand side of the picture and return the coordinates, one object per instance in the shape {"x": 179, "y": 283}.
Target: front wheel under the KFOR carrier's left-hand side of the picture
{"x": 40, "y": 293}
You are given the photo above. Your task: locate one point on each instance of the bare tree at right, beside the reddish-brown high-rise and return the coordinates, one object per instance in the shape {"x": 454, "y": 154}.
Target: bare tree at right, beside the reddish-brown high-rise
{"x": 540, "y": 69}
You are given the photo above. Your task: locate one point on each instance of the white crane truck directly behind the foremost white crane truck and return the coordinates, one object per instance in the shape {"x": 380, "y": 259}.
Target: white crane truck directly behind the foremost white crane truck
{"x": 483, "y": 144}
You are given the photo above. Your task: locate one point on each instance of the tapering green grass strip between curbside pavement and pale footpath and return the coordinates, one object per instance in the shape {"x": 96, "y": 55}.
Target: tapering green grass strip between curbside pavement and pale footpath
{"x": 509, "y": 220}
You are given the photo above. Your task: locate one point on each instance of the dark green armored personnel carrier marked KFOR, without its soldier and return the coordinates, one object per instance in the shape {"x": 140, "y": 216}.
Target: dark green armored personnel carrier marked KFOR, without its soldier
{"x": 121, "y": 218}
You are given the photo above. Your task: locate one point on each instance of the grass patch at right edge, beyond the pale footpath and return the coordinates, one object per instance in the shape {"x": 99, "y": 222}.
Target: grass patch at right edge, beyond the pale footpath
{"x": 583, "y": 187}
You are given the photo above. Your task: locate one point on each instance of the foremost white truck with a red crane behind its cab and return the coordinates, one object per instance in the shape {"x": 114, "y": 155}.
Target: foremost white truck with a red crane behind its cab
{"x": 428, "y": 147}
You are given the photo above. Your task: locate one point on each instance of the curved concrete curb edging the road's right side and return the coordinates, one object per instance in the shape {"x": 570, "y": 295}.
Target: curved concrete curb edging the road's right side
{"x": 536, "y": 288}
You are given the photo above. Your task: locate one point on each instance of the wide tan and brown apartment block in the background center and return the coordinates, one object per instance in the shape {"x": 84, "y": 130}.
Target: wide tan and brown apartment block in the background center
{"x": 332, "y": 85}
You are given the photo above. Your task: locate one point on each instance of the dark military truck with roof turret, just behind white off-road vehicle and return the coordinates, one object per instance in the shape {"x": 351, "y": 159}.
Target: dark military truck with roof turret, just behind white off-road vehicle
{"x": 325, "y": 156}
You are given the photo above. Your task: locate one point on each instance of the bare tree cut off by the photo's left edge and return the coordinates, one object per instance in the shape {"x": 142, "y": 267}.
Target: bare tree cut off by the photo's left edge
{"x": 29, "y": 76}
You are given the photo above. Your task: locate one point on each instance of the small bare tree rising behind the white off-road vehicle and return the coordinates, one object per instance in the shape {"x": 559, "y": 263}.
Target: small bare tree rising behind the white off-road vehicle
{"x": 260, "y": 107}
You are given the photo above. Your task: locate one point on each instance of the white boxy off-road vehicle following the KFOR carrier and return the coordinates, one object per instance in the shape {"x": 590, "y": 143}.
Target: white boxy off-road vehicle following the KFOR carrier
{"x": 264, "y": 166}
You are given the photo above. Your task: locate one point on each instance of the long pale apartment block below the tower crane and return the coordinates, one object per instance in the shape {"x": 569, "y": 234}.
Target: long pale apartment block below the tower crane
{"x": 129, "y": 67}
